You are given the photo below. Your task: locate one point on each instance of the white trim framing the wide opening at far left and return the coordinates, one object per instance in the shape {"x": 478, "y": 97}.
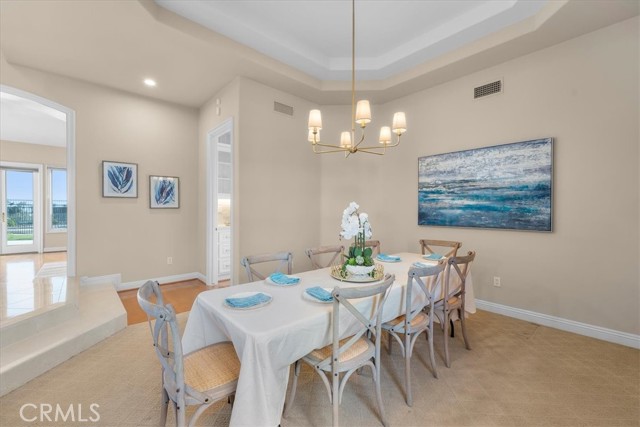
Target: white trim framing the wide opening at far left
{"x": 71, "y": 169}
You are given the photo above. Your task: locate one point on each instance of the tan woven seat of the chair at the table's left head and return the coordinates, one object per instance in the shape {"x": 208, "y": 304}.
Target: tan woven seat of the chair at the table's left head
{"x": 211, "y": 367}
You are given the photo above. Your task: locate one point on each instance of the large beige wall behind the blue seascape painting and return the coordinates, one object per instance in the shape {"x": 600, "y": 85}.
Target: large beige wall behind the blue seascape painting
{"x": 583, "y": 93}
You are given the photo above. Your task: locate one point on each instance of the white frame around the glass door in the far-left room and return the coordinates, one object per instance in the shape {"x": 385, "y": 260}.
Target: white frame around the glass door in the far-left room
{"x": 38, "y": 230}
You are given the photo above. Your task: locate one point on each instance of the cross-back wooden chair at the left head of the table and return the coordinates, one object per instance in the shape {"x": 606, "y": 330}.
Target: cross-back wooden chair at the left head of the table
{"x": 202, "y": 377}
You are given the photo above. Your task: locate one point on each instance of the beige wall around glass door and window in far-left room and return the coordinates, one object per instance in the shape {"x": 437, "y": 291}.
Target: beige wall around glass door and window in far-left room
{"x": 47, "y": 156}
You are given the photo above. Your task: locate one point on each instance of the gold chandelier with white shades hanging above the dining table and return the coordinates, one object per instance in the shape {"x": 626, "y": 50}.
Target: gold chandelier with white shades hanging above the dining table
{"x": 360, "y": 115}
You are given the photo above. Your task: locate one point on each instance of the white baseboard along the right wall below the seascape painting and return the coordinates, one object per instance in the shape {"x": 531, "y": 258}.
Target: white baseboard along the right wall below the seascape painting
{"x": 598, "y": 332}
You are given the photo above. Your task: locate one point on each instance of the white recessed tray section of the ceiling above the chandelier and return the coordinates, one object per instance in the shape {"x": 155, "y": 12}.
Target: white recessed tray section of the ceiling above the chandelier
{"x": 391, "y": 36}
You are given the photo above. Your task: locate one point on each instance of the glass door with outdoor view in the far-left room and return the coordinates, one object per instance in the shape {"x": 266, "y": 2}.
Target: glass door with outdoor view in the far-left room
{"x": 20, "y": 210}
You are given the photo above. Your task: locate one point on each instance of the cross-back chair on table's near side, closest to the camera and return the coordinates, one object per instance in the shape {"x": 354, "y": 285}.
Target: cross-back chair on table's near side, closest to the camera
{"x": 345, "y": 356}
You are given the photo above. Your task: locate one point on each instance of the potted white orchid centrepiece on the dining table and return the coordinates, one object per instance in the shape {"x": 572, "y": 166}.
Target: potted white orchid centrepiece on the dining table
{"x": 355, "y": 225}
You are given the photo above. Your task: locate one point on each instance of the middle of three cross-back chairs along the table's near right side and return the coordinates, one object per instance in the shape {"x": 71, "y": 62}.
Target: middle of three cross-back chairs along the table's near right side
{"x": 406, "y": 328}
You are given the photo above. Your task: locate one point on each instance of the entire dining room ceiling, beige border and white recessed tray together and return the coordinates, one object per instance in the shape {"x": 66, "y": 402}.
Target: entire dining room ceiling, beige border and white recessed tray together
{"x": 404, "y": 46}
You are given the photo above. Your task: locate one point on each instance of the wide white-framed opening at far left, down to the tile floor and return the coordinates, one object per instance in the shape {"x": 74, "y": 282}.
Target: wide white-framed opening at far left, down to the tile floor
{"x": 37, "y": 219}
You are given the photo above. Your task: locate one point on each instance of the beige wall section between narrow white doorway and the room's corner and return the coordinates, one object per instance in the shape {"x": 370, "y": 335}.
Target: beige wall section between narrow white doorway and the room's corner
{"x": 279, "y": 178}
